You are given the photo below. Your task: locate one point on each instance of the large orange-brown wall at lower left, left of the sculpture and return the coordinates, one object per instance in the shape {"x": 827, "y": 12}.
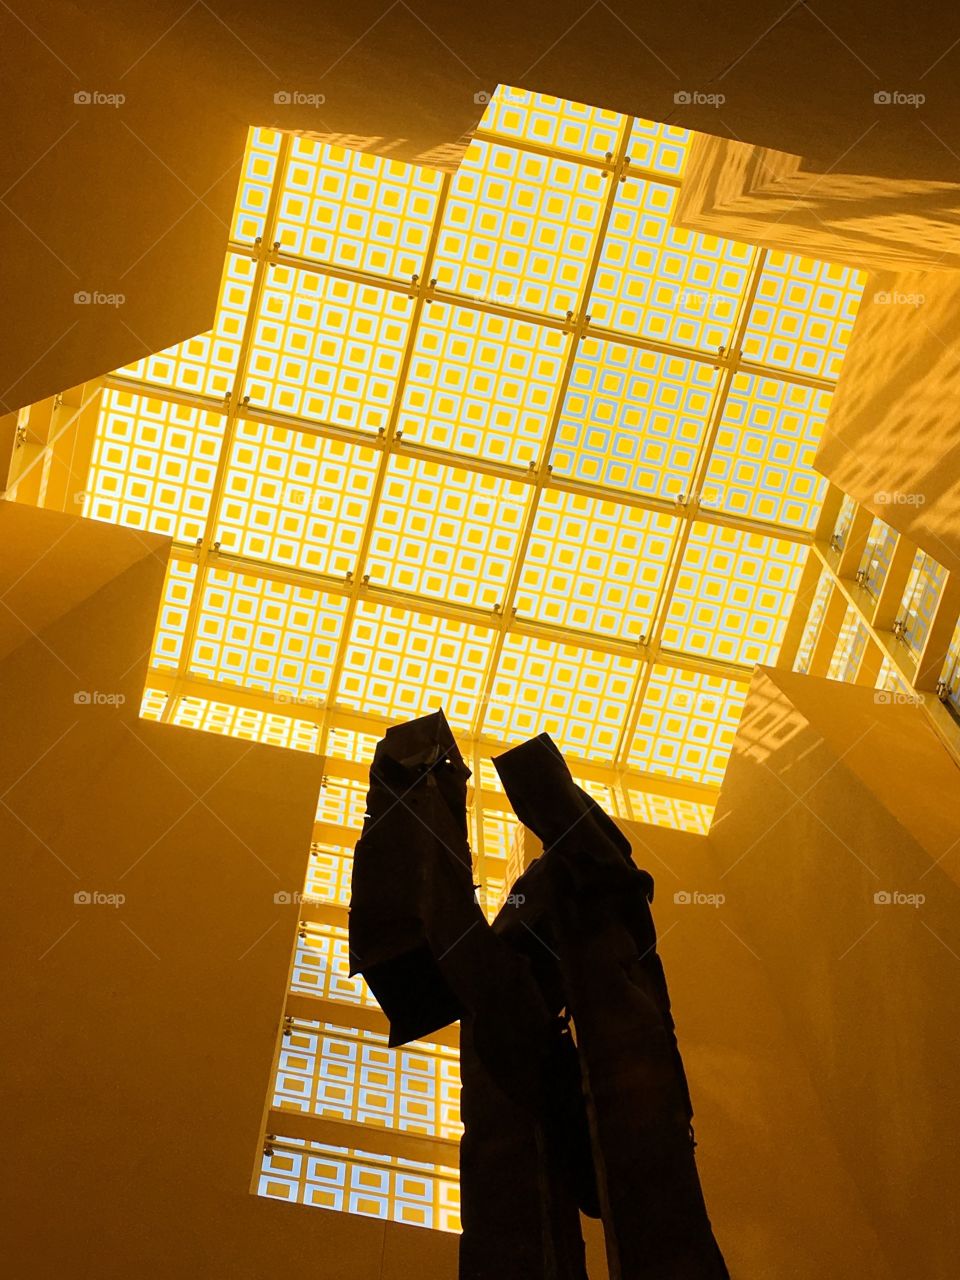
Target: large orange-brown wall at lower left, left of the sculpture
{"x": 138, "y": 1039}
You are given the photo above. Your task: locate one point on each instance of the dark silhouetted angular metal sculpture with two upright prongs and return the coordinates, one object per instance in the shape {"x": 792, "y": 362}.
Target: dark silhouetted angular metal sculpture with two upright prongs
{"x": 557, "y": 1122}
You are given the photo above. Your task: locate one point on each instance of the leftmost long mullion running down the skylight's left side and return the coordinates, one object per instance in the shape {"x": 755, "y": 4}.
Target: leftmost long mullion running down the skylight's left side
{"x": 234, "y": 406}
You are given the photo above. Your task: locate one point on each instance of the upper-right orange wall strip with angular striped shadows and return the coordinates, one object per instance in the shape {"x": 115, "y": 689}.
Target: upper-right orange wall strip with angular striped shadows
{"x": 753, "y": 194}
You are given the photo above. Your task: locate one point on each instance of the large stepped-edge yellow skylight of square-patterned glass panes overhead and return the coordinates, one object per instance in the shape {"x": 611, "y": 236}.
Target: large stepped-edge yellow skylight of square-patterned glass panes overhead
{"x": 504, "y": 441}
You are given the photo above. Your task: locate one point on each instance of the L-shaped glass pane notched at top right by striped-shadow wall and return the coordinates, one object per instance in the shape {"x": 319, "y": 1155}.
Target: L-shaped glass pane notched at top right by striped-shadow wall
{"x": 660, "y": 282}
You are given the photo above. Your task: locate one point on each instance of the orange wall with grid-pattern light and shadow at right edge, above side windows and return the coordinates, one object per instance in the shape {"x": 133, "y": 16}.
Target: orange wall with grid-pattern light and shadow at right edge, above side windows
{"x": 893, "y": 437}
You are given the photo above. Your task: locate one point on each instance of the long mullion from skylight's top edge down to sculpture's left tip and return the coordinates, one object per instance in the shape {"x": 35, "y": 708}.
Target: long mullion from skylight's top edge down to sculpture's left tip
{"x": 542, "y": 474}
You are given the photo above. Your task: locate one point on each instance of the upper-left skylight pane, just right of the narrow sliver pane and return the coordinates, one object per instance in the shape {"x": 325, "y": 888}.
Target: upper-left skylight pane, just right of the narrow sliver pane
{"x": 358, "y": 211}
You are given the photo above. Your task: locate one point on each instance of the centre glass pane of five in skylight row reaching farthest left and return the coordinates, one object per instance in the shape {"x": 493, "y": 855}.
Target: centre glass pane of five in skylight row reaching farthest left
{"x": 446, "y": 533}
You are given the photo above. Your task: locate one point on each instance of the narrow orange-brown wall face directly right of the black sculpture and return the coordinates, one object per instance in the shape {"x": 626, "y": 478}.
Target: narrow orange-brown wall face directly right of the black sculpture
{"x": 781, "y": 1199}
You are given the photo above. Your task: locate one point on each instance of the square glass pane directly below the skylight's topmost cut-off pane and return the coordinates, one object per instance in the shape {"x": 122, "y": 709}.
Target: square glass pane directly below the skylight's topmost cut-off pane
{"x": 520, "y": 228}
